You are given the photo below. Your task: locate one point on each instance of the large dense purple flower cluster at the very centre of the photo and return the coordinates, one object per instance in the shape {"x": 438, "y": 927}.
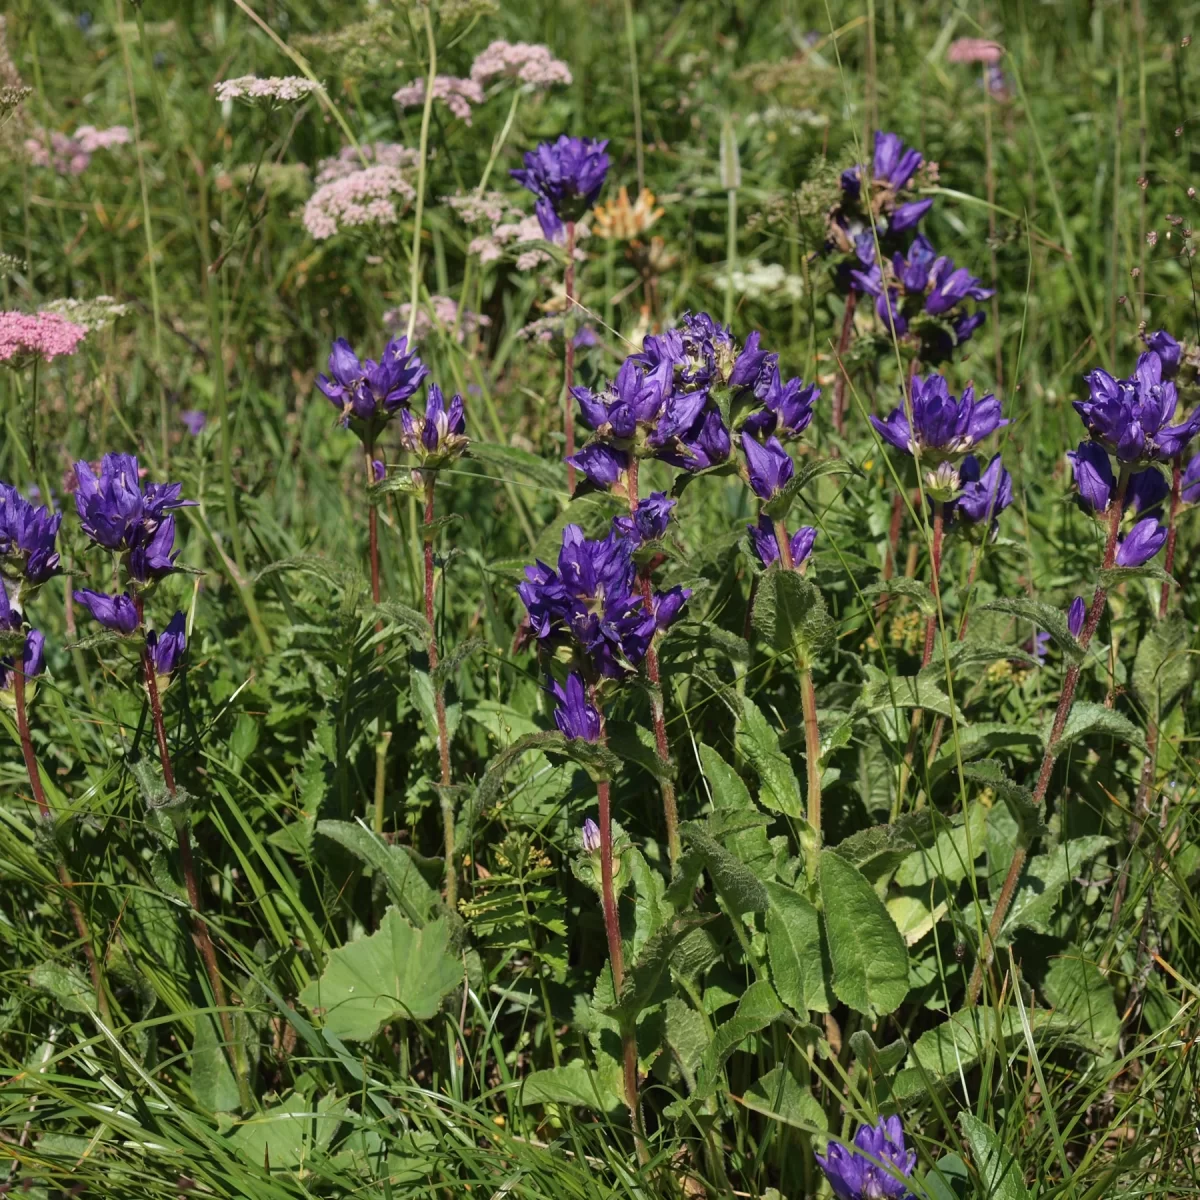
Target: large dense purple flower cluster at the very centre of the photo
{"x": 593, "y": 601}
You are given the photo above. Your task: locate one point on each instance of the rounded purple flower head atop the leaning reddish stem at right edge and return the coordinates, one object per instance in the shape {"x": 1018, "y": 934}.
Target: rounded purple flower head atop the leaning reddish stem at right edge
{"x": 1129, "y": 417}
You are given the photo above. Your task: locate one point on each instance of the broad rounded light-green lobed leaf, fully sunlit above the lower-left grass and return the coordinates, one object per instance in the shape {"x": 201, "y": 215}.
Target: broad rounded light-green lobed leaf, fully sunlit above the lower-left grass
{"x": 395, "y": 973}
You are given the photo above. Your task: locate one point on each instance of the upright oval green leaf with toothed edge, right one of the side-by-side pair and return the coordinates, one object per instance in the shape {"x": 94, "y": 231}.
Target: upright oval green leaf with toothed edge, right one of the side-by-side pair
{"x": 871, "y": 964}
